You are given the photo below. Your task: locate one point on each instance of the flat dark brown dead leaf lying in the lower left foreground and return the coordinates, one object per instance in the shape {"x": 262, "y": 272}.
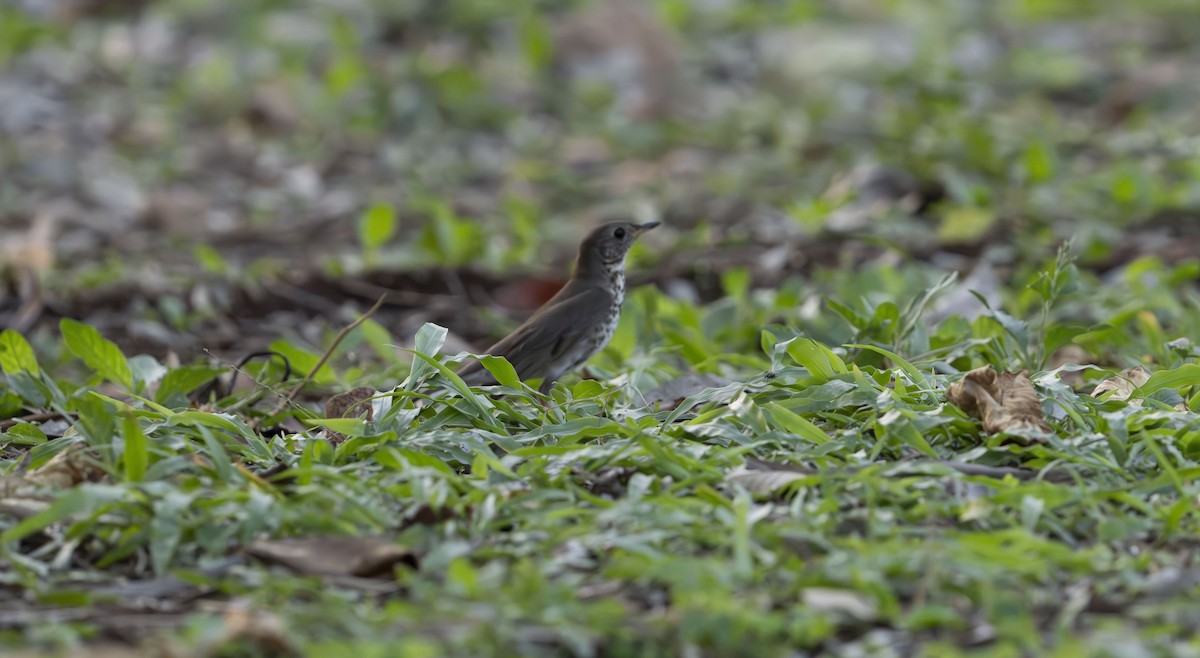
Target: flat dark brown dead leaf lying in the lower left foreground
{"x": 335, "y": 557}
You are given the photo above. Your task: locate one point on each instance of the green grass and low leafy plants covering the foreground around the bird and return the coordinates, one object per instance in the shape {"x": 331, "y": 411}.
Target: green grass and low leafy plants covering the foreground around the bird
{"x": 595, "y": 524}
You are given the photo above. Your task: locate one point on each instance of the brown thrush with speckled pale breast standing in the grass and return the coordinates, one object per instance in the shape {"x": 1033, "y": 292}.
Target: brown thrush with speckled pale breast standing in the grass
{"x": 579, "y": 321}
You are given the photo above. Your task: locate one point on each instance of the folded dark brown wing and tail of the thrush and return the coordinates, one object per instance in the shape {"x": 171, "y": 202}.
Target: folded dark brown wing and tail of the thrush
{"x": 549, "y": 334}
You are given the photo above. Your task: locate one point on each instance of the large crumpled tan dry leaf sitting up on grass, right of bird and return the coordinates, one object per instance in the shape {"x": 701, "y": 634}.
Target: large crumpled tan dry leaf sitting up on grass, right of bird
{"x": 1004, "y": 402}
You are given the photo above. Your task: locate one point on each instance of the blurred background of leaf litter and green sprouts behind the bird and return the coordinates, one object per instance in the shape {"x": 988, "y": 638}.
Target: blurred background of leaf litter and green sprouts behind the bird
{"x": 197, "y": 165}
